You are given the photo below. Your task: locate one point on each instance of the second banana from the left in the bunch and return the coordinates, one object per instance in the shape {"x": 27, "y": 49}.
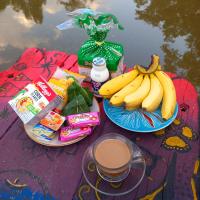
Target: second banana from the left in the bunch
{"x": 118, "y": 98}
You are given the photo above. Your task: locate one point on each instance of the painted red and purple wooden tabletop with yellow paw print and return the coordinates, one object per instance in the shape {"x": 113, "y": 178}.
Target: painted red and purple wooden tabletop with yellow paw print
{"x": 31, "y": 171}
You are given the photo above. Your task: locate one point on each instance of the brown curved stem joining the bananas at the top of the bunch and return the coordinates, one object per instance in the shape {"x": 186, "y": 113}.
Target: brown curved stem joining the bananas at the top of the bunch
{"x": 152, "y": 67}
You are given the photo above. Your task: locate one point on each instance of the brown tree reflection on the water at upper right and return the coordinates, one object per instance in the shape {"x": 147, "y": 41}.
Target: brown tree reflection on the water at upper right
{"x": 178, "y": 20}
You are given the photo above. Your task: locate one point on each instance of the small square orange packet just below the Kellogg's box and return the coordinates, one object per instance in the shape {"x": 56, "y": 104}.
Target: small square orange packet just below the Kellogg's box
{"x": 53, "y": 120}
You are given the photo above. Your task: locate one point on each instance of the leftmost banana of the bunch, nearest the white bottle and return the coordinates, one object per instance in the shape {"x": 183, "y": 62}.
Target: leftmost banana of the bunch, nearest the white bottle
{"x": 117, "y": 83}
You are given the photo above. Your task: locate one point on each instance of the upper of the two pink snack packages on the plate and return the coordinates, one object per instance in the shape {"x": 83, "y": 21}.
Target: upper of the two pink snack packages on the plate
{"x": 84, "y": 119}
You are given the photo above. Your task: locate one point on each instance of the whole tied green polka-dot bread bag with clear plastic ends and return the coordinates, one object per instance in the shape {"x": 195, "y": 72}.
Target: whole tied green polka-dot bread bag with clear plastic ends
{"x": 97, "y": 26}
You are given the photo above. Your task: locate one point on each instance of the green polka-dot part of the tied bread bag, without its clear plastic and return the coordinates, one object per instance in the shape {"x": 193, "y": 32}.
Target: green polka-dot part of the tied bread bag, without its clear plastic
{"x": 97, "y": 27}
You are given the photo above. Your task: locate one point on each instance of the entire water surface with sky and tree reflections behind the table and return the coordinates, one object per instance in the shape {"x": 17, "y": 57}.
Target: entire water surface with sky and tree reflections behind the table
{"x": 168, "y": 28}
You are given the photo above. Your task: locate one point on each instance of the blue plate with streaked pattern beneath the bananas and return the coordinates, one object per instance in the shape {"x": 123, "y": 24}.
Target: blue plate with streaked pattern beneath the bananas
{"x": 137, "y": 120}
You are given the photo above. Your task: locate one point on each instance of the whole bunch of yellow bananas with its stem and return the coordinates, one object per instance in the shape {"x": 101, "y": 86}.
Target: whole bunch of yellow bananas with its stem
{"x": 146, "y": 88}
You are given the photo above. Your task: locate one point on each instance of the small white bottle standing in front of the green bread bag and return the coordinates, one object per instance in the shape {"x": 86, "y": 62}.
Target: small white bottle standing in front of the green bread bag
{"x": 99, "y": 74}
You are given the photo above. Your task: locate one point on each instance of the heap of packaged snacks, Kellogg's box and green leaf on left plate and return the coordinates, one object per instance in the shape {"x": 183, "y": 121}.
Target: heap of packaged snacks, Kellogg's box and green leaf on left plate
{"x": 59, "y": 108}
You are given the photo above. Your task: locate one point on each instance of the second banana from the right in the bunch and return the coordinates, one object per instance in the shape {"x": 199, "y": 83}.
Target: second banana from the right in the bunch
{"x": 152, "y": 101}
